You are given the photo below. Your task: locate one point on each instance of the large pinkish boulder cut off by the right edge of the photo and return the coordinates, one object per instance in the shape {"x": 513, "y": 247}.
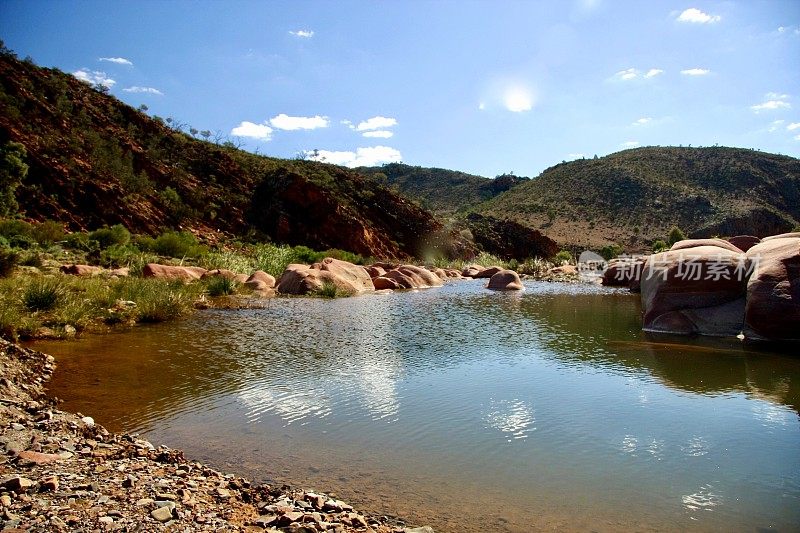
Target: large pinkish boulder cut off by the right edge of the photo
{"x": 773, "y": 291}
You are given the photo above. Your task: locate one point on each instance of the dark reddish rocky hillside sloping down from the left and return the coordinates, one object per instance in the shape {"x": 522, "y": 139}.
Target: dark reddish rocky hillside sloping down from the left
{"x": 94, "y": 160}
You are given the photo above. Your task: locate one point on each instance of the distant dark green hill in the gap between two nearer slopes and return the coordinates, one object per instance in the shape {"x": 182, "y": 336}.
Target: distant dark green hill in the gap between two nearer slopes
{"x": 443, "y": 191}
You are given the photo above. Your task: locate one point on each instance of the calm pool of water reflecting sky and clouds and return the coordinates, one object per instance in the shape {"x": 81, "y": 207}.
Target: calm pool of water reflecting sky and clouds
{"x": 465, "y": 409}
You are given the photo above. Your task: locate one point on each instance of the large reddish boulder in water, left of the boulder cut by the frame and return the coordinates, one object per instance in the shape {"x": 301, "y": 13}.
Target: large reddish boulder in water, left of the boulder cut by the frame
{"x": 695, "y": 290}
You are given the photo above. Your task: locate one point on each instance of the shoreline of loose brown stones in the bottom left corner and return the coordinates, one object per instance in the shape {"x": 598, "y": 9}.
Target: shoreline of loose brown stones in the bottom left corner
{"x": 61, "y": 471}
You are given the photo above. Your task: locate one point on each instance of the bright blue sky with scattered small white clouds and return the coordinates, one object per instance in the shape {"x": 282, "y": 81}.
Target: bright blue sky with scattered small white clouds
{"x": 484, "y": 87}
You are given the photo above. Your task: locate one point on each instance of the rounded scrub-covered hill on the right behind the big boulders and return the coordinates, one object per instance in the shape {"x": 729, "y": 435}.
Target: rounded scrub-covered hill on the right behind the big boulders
{"x": 635, "y": 196}
